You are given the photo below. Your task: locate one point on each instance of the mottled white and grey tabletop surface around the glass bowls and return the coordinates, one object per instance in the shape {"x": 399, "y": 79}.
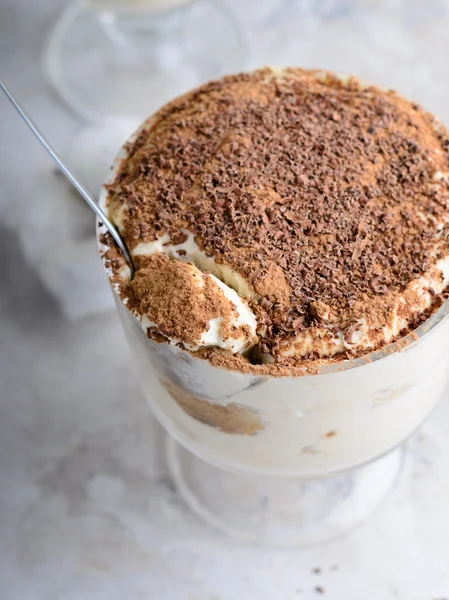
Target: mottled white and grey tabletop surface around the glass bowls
{"x": 87, "y": 510}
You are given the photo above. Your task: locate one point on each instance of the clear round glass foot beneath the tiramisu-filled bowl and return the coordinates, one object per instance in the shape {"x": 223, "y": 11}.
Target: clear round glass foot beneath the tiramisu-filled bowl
{"x": 279, "y": 511}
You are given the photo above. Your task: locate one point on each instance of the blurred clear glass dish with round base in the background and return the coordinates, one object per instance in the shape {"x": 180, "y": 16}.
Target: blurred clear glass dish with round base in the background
{"x": 125, "y": 58}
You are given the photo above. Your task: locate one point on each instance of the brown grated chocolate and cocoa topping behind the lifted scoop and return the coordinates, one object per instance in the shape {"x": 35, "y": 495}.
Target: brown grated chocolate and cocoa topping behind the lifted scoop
{"x": 328, "y": 197}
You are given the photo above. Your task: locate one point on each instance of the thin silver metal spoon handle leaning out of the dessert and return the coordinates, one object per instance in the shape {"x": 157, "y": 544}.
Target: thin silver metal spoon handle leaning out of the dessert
{"x": 76, "y": 184}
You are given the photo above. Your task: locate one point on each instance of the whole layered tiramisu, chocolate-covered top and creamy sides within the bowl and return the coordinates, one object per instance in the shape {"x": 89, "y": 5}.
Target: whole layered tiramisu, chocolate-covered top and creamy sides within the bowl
{"x": 283, "y": 223}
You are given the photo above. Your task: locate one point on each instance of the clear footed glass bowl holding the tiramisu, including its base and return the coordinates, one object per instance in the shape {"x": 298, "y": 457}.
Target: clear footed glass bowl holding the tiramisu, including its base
{"x": 290, "y": 456}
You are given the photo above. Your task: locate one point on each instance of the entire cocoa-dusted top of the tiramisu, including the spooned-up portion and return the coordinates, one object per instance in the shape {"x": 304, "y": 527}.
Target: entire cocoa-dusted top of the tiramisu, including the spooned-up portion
{"x": 283, "y": 217}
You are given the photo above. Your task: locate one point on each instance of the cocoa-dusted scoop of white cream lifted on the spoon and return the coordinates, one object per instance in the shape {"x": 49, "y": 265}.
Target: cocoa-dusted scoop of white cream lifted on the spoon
{"x": 233, "y": 331}
